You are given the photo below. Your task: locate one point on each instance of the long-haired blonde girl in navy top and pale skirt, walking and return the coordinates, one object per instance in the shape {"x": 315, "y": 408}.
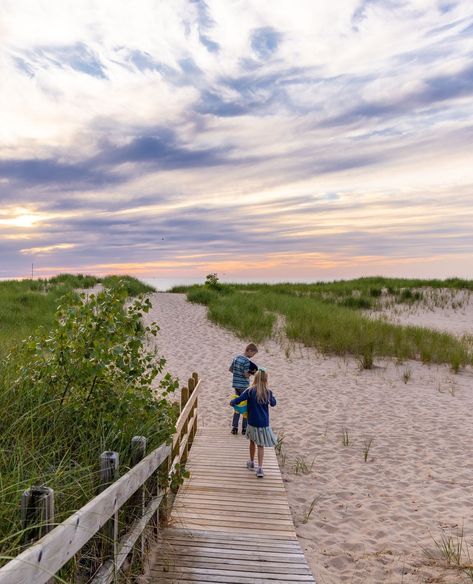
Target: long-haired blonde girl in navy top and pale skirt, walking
{"x": 259, "y": 432}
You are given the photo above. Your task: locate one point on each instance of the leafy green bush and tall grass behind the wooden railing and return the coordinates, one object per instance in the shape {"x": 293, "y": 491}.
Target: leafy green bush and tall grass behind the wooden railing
{"x": 72, "y": 391}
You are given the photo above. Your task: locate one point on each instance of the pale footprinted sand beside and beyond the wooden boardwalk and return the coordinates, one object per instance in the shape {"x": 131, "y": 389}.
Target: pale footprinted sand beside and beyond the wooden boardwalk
{"x": 358, "y": 522}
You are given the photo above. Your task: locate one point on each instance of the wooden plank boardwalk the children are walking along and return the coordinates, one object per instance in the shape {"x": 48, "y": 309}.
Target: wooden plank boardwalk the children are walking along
{"x": 226, "y": 525}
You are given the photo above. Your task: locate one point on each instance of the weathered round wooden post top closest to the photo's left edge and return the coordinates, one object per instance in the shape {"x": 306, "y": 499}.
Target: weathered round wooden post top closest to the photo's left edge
{"x": 37, "y": 514}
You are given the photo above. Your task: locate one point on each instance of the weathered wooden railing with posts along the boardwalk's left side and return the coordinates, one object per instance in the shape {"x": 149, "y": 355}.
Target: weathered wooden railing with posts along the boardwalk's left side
{"x": 142, "y": 484}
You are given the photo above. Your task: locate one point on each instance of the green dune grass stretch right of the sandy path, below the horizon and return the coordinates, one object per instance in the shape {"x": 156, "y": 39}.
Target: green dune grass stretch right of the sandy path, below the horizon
{"x": 328, "y": 316}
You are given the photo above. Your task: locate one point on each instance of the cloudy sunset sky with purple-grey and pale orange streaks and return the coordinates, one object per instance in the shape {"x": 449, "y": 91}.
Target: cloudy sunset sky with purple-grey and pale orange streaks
{"x": 286, "y": 139}
